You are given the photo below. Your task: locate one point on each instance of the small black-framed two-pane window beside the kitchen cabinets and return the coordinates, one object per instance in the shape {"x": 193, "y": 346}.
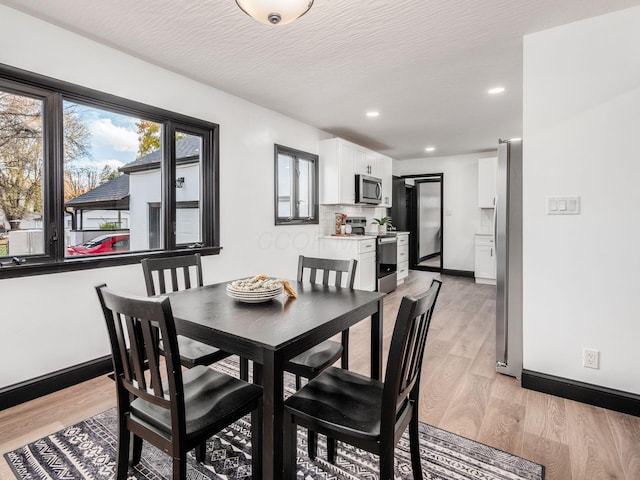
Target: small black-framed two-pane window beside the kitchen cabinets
{"x": 296, "y": 186}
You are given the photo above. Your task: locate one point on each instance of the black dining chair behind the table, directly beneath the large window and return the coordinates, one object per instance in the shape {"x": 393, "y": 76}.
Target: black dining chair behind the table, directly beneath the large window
{"x": 170, "y": 274}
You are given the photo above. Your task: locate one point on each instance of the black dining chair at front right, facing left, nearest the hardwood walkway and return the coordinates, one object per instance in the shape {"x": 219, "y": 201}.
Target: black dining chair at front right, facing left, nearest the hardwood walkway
{"x": 364, "y": 412}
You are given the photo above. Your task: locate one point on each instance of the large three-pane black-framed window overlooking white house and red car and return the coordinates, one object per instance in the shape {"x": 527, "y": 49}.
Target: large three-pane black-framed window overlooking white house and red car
{"x": 86, "y": 177}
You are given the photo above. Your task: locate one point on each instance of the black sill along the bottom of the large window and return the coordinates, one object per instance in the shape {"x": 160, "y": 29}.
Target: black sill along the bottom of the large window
{"x": 87, "y": 263}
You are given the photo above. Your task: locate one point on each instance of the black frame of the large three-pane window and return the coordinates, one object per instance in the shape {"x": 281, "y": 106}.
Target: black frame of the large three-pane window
{"x": 53, "y": 92}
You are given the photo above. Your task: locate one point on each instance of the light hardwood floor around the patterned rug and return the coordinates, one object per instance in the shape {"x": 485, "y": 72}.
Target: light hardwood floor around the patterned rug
{"x": 460, "y": 392}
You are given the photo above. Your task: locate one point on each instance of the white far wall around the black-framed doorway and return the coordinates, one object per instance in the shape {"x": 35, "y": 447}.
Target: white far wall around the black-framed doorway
{"x": 461, "y": 211}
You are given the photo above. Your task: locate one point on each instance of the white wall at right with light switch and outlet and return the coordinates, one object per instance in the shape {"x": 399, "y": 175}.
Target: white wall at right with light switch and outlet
{"x": 581, "y": 128}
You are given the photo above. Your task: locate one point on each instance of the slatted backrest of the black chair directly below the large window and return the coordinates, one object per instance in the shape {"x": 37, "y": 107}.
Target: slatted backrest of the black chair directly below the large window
{"x": 157, "y": 269}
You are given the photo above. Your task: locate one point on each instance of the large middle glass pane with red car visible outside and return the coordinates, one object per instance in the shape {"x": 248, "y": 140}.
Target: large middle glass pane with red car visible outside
{"x": 111, "y": 181}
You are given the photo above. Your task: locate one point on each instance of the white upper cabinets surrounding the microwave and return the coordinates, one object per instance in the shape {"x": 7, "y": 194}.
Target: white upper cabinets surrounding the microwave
{"x": 341, "y": 161}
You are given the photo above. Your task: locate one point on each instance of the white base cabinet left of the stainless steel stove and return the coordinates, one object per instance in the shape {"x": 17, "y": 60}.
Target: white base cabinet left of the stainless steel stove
{"x": 362, "y": 249}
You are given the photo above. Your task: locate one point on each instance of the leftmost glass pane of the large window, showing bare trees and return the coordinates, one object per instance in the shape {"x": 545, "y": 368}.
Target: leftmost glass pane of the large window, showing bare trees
{"x": 21, "y": 175}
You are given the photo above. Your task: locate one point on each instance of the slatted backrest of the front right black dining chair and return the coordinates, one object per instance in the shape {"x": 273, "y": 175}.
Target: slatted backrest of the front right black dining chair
{"x": 406, "y": 352}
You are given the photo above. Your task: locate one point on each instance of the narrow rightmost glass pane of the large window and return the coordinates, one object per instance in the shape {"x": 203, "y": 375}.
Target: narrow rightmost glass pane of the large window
{"x": 188, "y": 195}
